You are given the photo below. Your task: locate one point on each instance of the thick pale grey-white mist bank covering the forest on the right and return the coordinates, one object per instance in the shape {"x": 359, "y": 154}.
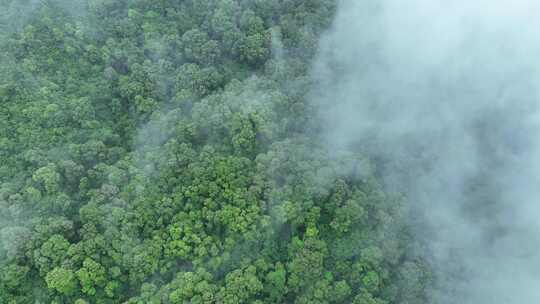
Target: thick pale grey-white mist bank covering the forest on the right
{"x": 443, "y": 97}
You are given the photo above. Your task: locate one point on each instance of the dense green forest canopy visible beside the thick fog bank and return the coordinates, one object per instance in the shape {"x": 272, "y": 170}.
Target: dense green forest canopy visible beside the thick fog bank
{"x": 160, "y": 151}
